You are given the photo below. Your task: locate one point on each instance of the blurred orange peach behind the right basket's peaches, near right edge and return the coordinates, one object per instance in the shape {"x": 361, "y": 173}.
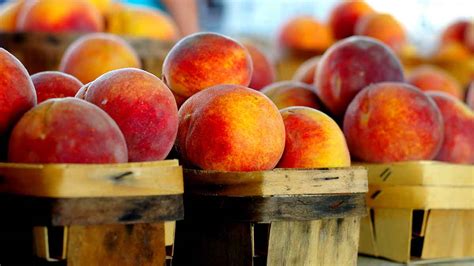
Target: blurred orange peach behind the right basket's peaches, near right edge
{"x": 430, "y": 78}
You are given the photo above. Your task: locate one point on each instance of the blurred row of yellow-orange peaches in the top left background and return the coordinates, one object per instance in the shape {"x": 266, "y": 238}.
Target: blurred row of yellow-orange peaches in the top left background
{"x": 59, "y": 16}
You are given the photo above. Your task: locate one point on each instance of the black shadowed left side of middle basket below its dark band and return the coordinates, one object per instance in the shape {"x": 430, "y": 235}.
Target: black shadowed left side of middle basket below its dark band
{"x": 213, "y": 244}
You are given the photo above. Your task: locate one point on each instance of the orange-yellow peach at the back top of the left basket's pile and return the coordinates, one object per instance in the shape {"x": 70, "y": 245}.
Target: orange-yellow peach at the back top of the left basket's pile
{"x": 95, "y": 54}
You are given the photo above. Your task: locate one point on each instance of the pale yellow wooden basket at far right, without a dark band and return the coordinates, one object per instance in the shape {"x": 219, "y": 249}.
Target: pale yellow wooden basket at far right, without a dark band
{"x": 419, "y": 211}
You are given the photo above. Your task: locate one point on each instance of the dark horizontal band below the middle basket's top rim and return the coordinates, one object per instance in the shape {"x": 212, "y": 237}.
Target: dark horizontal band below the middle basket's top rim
{"x": 277, "y": 208}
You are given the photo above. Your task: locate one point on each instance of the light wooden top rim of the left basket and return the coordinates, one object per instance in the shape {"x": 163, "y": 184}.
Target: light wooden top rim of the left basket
{"x": 92, "y": 180}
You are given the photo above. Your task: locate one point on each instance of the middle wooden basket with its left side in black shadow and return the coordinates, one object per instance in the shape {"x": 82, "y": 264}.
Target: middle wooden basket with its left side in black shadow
{"x": 279, "y": 217}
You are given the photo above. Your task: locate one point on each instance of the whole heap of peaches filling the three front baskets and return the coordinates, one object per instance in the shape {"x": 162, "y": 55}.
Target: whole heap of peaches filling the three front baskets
{"x": 101, "y": 108}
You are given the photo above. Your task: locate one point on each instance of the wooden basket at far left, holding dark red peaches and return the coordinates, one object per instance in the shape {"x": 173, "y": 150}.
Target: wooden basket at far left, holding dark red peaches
{"x": 94, "y": 214}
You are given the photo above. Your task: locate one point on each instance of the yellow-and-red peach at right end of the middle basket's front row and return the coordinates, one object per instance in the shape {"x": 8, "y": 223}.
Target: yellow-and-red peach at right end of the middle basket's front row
{"x": 313, "y": 140}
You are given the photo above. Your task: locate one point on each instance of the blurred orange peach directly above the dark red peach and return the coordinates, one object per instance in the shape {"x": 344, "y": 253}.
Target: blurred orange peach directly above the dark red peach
{"x": 383, "y": 27}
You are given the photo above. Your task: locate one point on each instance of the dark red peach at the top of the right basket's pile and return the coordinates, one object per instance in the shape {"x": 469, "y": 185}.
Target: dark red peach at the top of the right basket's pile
{"x": 349, "y": 66}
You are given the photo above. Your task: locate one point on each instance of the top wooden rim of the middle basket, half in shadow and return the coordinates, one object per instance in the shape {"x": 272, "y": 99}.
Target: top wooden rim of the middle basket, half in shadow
{"x": 276, "y": 182}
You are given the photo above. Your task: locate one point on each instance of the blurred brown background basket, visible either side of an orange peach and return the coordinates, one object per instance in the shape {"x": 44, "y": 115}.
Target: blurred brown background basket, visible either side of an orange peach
{"x": 43, "y": 51}
